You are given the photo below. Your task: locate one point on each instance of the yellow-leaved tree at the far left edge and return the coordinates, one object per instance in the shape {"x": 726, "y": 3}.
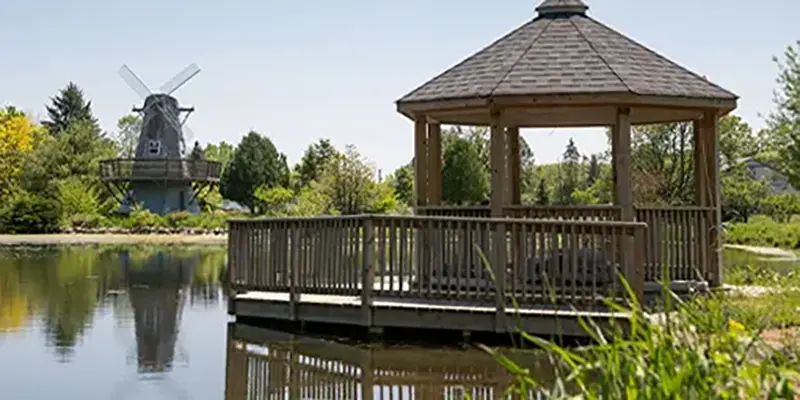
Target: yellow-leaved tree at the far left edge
{"x": 18, "y": 136}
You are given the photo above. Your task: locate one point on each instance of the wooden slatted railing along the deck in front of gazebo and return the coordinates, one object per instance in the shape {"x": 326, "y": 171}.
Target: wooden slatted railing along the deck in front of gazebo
{"x": 480, "y": 260}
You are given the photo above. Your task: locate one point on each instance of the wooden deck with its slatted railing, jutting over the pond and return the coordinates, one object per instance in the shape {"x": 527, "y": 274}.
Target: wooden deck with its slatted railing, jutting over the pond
{"x": 467, "y": 274}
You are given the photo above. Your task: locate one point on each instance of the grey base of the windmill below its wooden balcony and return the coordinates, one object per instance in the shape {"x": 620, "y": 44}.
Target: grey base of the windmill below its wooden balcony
{"x": 161, "y": 200}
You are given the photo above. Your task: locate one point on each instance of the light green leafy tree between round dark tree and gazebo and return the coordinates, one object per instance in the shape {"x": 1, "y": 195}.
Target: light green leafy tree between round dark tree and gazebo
{"x": 348, "y": 181}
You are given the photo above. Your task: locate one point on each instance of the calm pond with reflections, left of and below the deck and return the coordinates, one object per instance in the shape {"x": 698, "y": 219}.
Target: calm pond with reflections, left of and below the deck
{"x": 144, "y": 322}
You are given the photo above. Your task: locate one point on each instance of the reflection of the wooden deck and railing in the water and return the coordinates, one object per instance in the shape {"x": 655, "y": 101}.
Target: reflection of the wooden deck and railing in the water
{"x": 268, "y": 364}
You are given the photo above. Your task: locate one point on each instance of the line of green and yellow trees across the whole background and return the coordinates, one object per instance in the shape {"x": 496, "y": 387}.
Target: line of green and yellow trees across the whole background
{"x": 49, "y": 175}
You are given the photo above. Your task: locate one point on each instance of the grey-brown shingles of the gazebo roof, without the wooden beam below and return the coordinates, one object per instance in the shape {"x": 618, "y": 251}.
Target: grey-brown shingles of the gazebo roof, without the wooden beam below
{"x": 564, "y": 51}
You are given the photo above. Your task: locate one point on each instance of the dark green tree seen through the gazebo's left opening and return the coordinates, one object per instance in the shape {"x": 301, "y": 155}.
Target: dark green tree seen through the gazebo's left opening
{"x": 465, "y": 179}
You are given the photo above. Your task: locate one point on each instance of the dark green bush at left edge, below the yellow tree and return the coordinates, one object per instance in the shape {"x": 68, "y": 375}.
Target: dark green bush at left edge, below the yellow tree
{"x": 24, "y": 212}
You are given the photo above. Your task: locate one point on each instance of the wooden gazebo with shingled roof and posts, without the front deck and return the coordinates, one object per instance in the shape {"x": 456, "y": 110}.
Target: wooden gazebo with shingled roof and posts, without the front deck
{"x": 565, "y": 69}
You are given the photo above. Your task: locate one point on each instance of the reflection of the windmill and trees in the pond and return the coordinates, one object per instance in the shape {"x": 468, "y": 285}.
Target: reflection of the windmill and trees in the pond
{"x": 60, "y": 292}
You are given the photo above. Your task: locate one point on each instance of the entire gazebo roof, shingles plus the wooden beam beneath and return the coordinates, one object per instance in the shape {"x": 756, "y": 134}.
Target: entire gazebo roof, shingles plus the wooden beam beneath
{"x": 564, "y": 68}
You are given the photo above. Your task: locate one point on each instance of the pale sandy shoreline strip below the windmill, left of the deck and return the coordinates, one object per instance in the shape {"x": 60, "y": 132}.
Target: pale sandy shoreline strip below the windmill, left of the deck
{"x": 110, "y": 238}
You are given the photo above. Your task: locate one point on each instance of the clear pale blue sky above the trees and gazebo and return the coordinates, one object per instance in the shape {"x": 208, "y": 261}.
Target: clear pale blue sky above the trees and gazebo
{"x": 303, "y": 70}
